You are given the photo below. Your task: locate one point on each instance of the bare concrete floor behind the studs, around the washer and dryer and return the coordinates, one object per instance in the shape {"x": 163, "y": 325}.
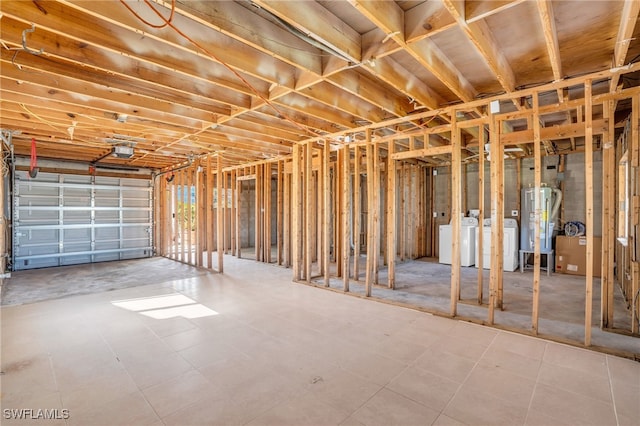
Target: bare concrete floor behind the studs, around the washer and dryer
{"x": 426, "y": 284}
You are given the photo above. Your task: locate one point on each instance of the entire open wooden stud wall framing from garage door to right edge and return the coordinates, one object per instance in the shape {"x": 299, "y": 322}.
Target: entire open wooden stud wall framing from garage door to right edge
{"x": 339, "y": 213}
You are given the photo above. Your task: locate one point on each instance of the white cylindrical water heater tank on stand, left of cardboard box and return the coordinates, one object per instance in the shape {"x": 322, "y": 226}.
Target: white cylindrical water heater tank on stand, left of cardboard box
{"x": 550, "y": 199}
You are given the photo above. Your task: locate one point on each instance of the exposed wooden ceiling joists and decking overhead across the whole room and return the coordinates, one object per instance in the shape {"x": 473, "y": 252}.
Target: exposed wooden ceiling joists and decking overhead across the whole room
{"x": 251, "y": 79}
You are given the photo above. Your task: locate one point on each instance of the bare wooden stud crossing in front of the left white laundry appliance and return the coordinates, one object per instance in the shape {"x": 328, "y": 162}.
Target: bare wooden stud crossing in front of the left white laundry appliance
{"x": 456, "y": 195}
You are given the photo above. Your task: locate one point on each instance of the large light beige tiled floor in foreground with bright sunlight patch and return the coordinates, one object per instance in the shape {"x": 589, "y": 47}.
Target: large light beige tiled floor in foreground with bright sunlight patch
{"x": 249, "y": 347}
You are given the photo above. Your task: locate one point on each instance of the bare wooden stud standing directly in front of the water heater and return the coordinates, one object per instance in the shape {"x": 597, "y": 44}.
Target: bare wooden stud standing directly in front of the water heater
{"x": 538, "y": 183}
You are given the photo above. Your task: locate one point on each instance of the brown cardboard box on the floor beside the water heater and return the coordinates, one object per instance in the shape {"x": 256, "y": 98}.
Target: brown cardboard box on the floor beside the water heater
{"x": 571, "y": 255}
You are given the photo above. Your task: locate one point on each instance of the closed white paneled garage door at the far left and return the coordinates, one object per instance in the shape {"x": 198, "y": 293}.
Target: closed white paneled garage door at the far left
{"x": 61, "y": 219}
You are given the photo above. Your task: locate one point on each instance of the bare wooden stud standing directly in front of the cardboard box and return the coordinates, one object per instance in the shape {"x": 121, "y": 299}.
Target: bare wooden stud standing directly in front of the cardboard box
{"x": 588, "y": 158}
